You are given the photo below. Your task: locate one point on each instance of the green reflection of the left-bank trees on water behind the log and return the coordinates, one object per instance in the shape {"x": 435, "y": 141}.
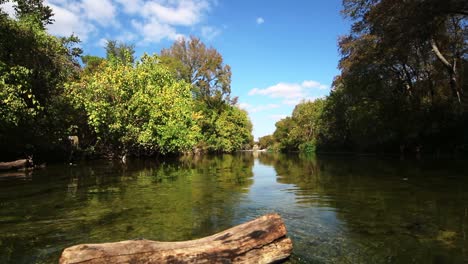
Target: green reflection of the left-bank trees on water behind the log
{"x": 101, "y": 202}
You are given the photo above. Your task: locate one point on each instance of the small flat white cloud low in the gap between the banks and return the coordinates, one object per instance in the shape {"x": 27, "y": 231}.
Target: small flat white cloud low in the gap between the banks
{"x": 291, "y": 93}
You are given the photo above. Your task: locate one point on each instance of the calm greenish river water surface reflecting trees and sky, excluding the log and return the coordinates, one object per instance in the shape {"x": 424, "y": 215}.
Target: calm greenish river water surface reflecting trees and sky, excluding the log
{"x": 336, "y": 209}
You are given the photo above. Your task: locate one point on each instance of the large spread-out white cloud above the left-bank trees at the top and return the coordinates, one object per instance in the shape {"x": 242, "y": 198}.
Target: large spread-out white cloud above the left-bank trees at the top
{"x": 142, "y": 21}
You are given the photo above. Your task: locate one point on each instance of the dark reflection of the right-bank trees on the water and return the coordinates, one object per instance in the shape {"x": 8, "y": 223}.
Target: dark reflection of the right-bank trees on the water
{"x": 393, "y": 211}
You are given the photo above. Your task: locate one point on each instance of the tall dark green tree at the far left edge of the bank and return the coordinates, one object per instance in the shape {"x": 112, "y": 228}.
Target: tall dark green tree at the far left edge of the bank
{"x": 33, "y": 68}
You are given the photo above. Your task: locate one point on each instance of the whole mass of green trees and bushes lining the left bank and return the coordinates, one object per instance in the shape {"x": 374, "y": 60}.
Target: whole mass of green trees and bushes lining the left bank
{"x": 116, "y": 105}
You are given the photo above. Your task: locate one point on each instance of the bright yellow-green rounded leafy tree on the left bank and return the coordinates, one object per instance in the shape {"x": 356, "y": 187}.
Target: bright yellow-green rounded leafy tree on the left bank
{"x": 137, "y": 110}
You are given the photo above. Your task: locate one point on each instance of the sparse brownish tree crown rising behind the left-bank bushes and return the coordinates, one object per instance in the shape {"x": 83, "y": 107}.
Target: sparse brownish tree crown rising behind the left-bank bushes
{"x": 202, "y": 67}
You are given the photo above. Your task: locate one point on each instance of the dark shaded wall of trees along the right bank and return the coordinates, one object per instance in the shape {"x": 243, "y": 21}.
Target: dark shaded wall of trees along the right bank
{"x": 402, "y": 82}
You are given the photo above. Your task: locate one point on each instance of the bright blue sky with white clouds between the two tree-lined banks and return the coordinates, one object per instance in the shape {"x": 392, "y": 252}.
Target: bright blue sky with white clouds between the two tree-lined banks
{"x": 280, "y": 52}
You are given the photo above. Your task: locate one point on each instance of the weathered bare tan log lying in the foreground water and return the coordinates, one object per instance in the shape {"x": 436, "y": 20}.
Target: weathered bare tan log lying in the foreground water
{"x": 262, "y": 240}
